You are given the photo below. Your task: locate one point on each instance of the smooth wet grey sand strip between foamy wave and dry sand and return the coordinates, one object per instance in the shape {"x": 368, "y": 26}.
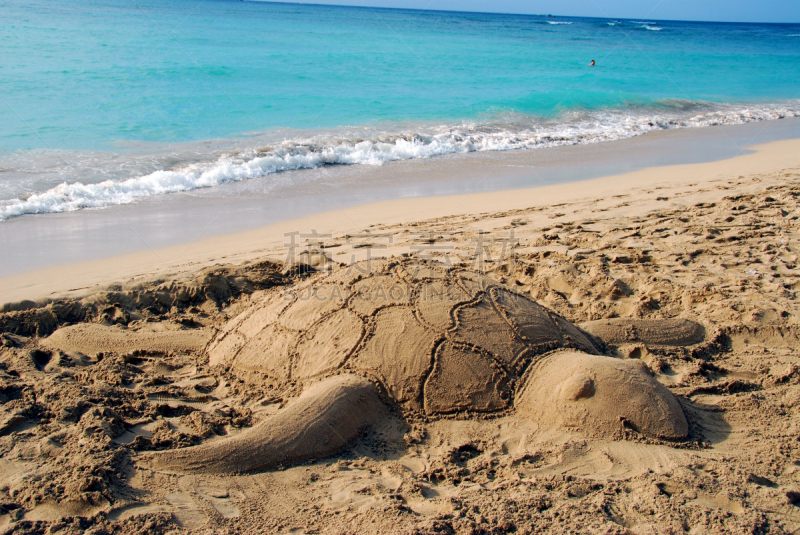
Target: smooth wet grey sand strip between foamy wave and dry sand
{"x": 163, "y": 221}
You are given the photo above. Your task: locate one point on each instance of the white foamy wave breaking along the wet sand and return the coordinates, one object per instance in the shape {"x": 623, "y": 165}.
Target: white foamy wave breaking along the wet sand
{"x": 504, "y": 133}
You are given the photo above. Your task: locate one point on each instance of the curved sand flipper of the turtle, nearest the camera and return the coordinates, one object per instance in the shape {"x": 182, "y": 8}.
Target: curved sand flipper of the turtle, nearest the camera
{"x": 324, "y": 419}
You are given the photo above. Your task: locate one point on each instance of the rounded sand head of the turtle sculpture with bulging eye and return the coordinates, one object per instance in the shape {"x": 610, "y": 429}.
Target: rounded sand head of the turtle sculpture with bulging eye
{"x": 600, "y": 396}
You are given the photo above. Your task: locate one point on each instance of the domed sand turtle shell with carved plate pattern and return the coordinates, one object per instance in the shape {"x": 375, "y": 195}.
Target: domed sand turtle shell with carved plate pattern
{"x": 438, "y": 341}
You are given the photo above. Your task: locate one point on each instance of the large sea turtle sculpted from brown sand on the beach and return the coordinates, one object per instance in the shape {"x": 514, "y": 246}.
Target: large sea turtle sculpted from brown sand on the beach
{"x": 431, "y": 341}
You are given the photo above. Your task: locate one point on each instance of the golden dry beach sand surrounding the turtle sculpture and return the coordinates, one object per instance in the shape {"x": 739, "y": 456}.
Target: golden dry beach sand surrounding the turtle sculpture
{"x": 127, "y": 372}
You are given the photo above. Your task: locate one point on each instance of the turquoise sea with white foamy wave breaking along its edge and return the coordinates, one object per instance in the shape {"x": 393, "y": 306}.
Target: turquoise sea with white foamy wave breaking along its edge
{"x": 106, "y": 102}
